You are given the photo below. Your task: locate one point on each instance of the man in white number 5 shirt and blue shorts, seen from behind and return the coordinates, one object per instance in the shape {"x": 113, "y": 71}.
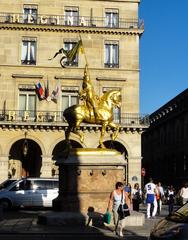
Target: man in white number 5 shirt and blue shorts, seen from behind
{"x": 150, "y": 190}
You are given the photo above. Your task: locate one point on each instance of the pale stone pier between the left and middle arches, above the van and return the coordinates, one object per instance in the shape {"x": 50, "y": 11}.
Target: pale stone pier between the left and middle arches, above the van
{"x": 46, "y": 168}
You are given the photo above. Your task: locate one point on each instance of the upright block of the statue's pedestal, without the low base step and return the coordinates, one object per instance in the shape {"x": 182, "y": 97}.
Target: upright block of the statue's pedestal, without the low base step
{"x": 86, "y": 178}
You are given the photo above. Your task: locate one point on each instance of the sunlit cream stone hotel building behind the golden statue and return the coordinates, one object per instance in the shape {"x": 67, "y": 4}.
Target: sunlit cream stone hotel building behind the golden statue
{"x": 31, "y": 32}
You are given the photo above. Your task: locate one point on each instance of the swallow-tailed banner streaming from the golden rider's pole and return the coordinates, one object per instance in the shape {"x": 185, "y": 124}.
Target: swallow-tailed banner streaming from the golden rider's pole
{"x": 69, "y": 54}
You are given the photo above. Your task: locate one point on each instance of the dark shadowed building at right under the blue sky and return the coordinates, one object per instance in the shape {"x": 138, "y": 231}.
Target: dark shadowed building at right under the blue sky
{"x": 164, "y": 144}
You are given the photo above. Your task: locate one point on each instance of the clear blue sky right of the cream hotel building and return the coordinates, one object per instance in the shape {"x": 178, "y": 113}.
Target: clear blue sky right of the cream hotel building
{"x": 163, "y": 52}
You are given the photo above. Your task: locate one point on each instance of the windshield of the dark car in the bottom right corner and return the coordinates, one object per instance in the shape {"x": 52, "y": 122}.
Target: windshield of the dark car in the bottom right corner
{"x": 181, "y": 215}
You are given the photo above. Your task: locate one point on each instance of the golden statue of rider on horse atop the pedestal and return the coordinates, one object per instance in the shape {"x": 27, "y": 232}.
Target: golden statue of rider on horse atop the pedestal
{"x": 96, "y": 110}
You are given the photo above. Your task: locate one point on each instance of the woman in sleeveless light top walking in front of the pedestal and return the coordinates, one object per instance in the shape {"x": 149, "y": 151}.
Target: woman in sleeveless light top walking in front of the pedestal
{"x": 117, "y": 197}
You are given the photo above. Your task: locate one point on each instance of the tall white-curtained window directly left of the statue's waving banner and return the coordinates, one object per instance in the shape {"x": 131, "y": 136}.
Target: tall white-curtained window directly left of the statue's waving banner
{"x": 28, "y": 51}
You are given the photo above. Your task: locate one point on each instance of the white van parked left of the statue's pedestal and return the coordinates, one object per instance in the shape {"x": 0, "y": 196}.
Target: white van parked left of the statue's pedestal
{"x": 30, "y": 192}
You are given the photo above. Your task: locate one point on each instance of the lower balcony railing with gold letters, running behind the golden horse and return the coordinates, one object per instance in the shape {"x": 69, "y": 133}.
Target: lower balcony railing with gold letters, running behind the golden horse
{"x": 18, "y": 116}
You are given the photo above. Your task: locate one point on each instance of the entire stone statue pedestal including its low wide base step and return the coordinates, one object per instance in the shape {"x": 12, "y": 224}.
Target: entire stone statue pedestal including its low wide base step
{"x": 86, "y": 179}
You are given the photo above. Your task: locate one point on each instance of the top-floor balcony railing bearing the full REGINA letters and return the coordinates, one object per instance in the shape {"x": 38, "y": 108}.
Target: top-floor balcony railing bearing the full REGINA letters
{"x": 62, "y": 20}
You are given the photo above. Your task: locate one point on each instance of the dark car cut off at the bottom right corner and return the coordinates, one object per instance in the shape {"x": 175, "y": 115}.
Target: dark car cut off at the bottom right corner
{"x": 173, "y": 227}
